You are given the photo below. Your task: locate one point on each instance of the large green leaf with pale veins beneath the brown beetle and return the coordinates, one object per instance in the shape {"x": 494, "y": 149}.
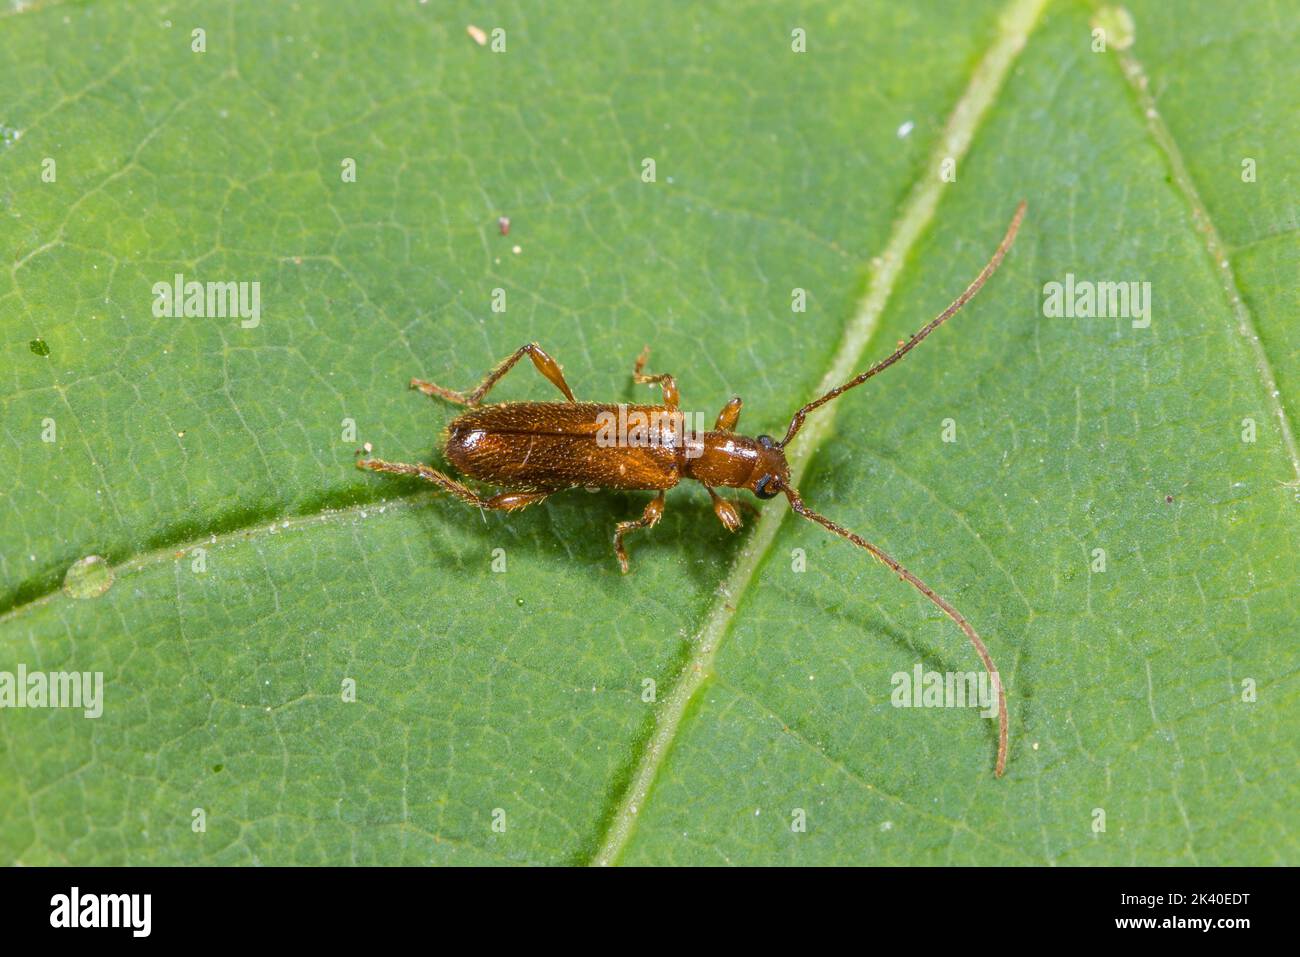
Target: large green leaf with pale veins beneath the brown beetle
{"x": 253, "y": 577}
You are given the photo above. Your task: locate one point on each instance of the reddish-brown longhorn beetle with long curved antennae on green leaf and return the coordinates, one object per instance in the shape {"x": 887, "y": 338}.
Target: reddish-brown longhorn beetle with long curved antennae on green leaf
{"x": 536, "y": 449}
